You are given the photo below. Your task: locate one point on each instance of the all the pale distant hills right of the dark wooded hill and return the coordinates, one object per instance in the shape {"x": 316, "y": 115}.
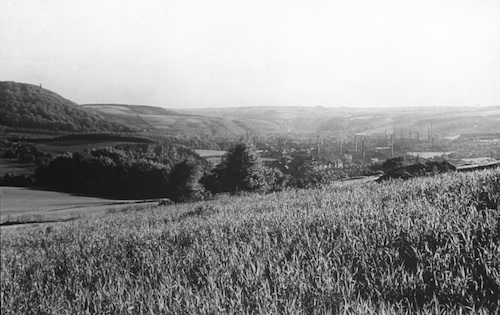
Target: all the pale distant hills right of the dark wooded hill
{"x": 343, "y": 122}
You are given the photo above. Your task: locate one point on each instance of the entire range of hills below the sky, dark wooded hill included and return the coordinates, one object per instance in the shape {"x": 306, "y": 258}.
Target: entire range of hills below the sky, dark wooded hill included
{"x": 30, "y": 106}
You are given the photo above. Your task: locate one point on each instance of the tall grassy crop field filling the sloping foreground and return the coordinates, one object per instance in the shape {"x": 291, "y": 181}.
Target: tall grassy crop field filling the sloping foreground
{"x": 422, "y": 246}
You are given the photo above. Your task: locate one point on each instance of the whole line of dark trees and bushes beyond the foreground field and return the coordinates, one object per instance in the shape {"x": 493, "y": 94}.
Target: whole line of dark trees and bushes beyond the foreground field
{"x": 143, "y": 171}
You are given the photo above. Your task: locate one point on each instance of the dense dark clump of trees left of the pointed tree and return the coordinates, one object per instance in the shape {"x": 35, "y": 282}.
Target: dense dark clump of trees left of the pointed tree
{"x": 138, "y": 172}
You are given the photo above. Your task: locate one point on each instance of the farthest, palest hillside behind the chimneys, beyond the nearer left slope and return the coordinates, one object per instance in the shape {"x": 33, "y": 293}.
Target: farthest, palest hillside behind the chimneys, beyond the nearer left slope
{"x": 445, "y": 120}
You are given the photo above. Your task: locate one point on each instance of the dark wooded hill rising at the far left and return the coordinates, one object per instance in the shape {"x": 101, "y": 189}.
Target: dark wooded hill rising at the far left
{"x": 32, "y": 107}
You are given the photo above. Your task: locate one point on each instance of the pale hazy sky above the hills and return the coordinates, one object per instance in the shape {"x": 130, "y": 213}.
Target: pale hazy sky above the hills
{"x": 203, "y": 53}
